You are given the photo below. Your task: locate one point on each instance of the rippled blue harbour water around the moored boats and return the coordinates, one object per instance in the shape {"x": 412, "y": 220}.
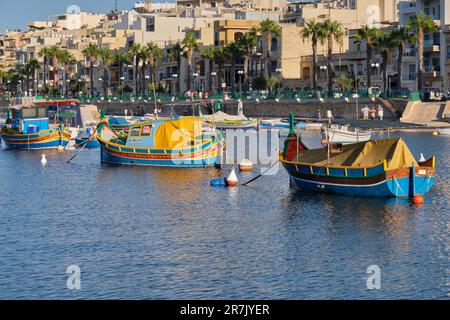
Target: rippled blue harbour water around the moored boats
{"x": 151, "y": 233}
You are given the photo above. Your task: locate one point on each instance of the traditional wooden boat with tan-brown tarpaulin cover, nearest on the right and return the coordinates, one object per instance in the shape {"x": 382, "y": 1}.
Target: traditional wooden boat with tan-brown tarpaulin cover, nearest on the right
{"x": 383, "y": 168}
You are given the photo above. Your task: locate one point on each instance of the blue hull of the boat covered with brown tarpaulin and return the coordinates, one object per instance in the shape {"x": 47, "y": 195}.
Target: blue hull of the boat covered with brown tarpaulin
{"x": 393, "y": 183}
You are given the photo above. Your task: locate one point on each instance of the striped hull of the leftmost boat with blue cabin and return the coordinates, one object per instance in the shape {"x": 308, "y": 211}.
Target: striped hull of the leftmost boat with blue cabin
{"x": 46, "y": 139}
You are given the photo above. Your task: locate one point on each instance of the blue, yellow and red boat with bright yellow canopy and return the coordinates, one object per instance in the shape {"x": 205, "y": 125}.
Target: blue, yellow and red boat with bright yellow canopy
{"x": 165, "y": 142}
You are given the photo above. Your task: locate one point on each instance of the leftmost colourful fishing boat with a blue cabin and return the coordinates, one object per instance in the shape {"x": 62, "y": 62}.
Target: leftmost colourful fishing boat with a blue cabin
{"x": 29, "y": 128}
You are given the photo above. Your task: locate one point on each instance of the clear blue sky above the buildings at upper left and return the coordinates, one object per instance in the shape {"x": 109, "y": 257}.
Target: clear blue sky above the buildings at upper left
{"x": 15, "y": 14}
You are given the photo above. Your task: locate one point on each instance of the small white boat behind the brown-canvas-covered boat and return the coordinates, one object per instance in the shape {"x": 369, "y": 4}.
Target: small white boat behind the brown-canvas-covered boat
{"x": 345, "y": 134}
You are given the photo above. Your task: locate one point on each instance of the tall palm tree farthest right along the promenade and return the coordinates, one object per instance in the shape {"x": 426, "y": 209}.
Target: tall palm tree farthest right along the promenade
{"x": 421, "y": 24}
